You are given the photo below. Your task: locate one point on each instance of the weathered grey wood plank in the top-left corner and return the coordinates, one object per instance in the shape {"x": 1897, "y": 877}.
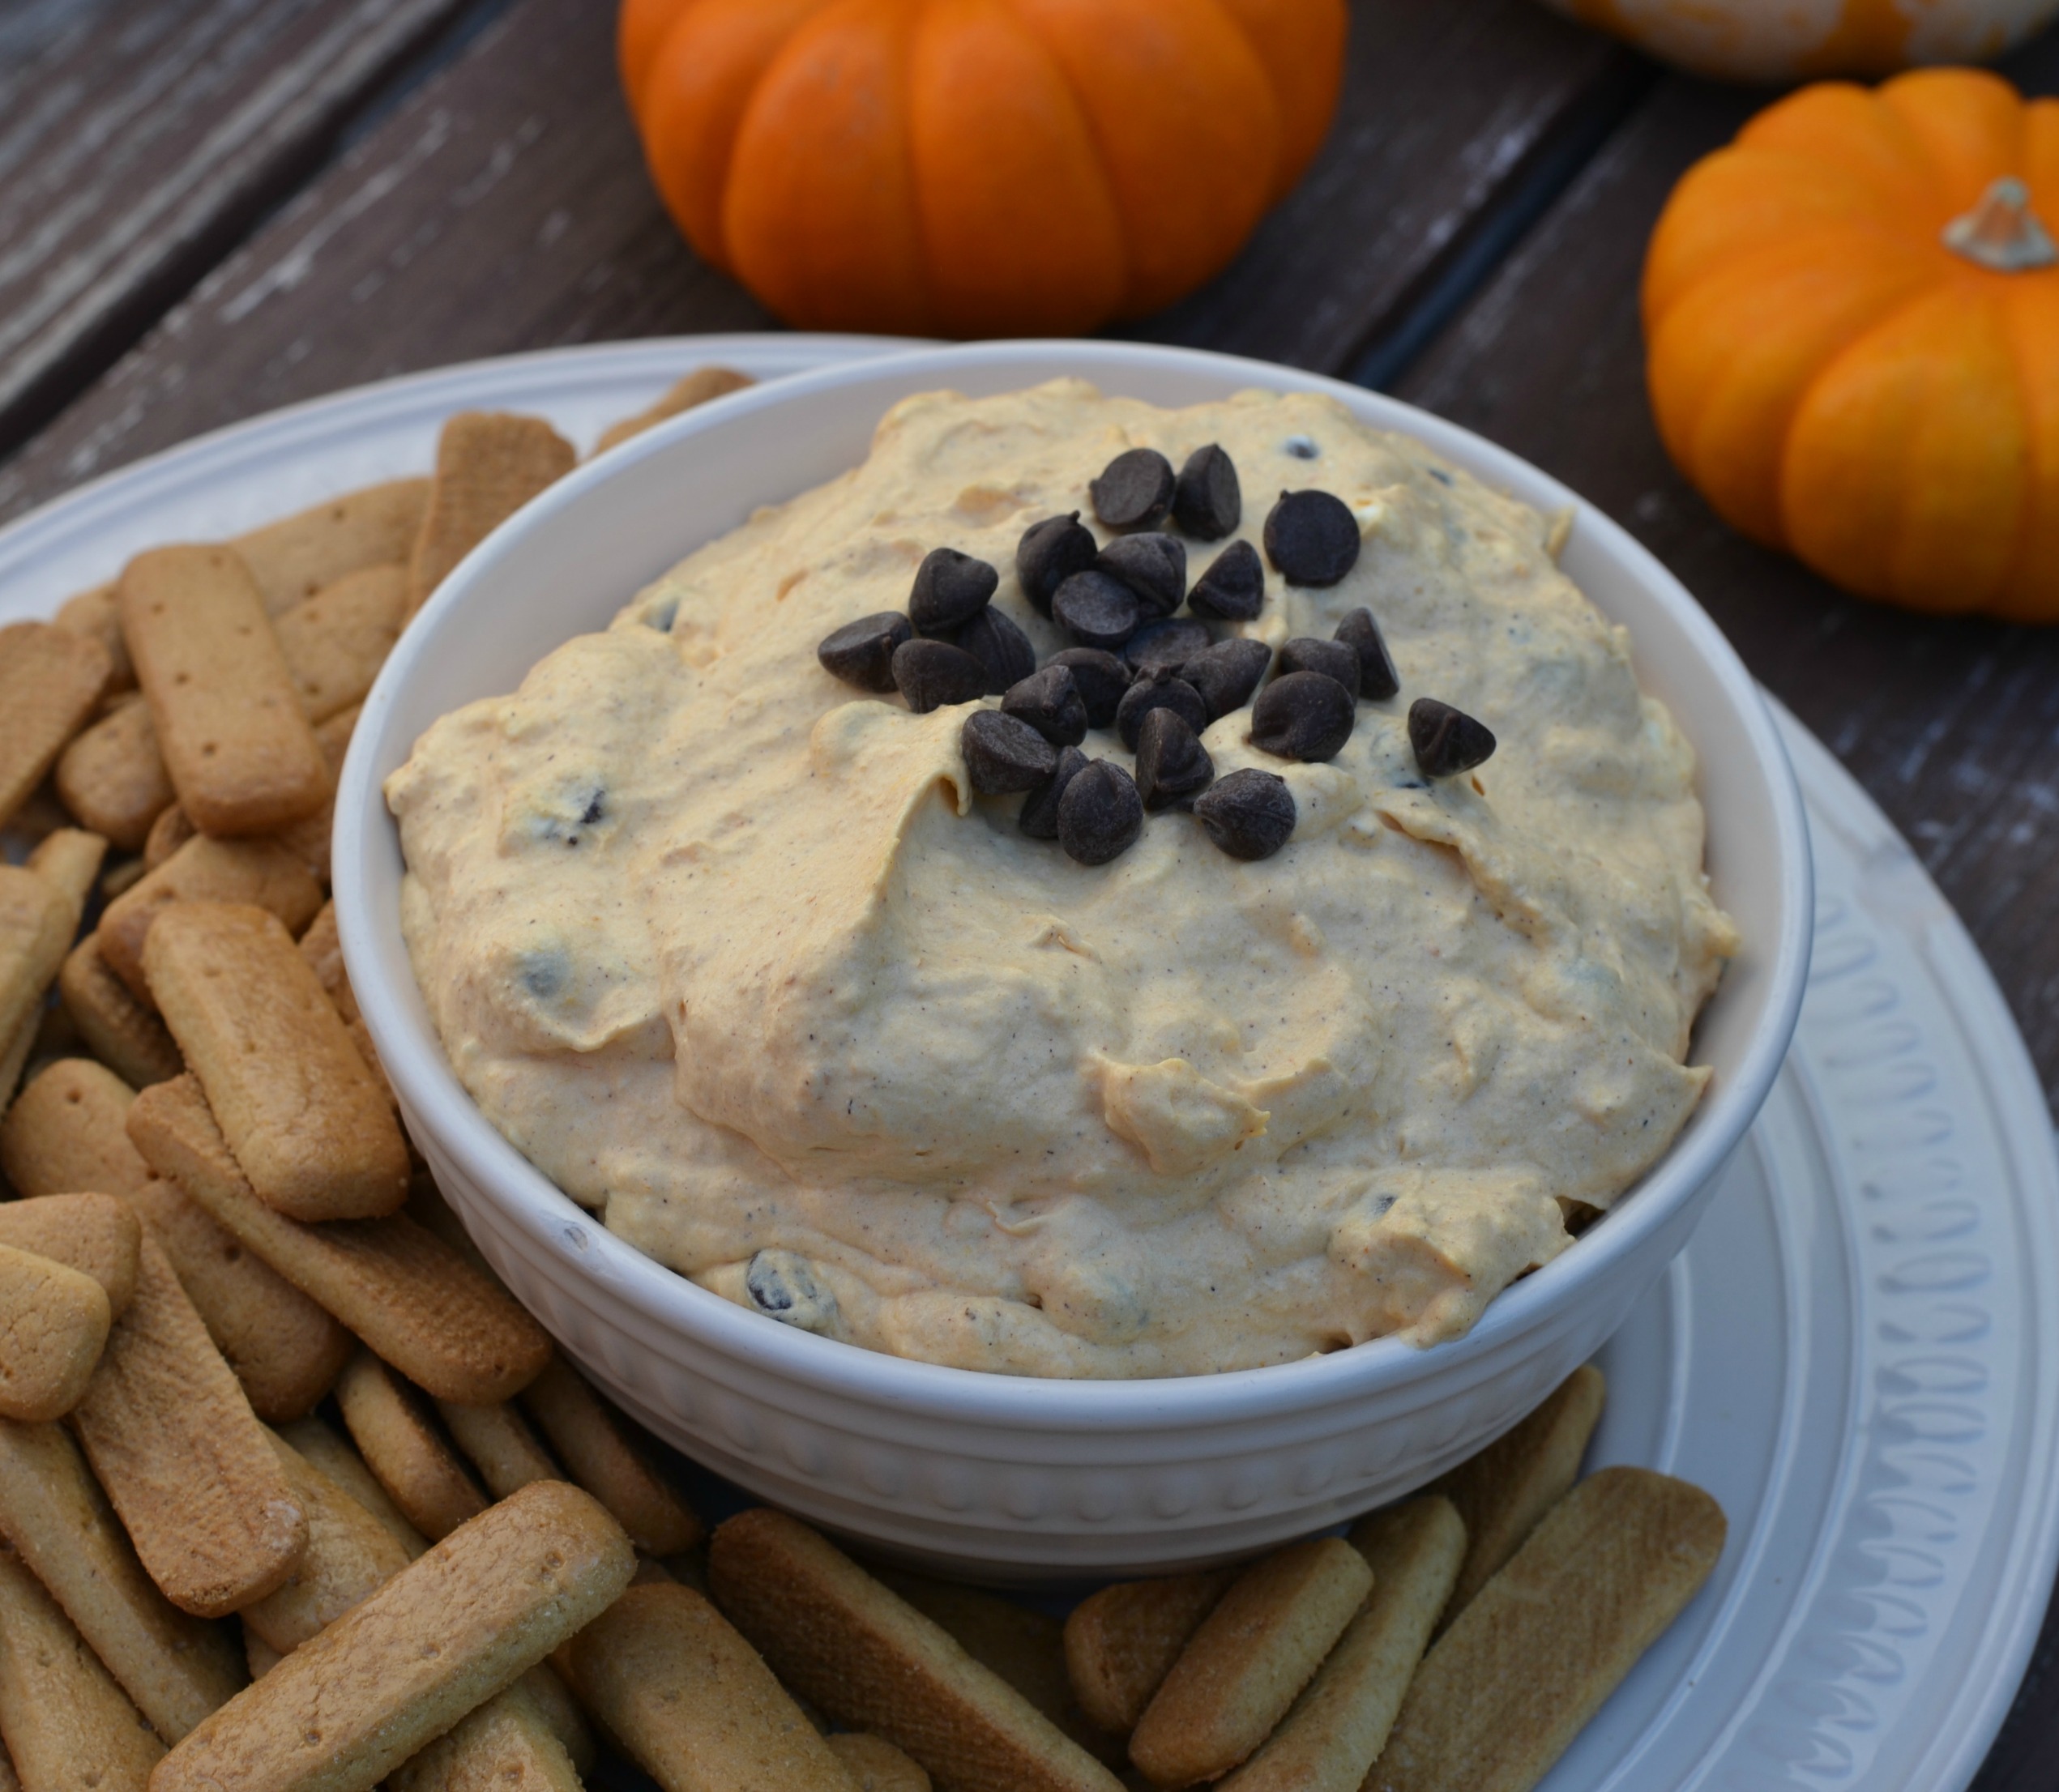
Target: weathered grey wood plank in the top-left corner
{"x": 139, "y": 139}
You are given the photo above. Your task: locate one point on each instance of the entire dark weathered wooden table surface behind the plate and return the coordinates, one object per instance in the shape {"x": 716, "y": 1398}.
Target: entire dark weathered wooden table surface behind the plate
{"x": 217, "y": 207}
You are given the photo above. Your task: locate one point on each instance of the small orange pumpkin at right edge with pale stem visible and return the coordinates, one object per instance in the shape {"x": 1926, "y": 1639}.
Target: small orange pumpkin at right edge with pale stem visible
{"x": 1852, "y": 318}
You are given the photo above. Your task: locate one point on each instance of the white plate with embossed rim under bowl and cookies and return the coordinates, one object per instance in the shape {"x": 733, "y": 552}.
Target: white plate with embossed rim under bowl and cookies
{"x": 1856, "y": 1355}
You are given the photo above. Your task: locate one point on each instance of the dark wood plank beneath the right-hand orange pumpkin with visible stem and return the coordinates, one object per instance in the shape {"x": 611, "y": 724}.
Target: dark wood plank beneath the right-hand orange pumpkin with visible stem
{"x": 1951, "y": 725}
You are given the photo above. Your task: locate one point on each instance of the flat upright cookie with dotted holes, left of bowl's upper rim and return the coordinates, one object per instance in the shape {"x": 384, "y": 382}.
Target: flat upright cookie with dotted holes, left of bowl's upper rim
{"x": 238, "y": 748}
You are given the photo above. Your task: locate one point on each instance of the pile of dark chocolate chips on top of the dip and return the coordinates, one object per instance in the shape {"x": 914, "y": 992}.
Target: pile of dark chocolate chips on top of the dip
{"x": 1140, "y": 668}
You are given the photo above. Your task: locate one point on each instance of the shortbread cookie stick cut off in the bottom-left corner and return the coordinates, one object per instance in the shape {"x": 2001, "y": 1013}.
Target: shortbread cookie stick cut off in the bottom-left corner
{"x": 65, "y": 1719}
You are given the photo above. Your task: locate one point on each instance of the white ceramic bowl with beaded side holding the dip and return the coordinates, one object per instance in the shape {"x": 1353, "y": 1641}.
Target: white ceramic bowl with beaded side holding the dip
{"x": 1014, "y": 1478}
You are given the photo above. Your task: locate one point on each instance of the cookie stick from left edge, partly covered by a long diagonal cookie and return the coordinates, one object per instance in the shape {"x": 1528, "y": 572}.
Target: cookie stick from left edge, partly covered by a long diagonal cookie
{"x": 69, "y": 1133}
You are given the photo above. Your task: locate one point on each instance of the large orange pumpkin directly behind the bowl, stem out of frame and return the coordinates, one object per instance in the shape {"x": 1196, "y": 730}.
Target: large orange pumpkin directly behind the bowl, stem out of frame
{"x": 977, "y": 168}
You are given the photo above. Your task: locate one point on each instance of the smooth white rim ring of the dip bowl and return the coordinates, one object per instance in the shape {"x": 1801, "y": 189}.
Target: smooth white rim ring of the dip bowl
{"x": 555, "y": 1225}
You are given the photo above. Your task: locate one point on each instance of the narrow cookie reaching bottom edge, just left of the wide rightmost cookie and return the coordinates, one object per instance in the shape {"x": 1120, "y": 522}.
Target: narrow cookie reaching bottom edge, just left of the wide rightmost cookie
{"x": 1339, "y": 1725}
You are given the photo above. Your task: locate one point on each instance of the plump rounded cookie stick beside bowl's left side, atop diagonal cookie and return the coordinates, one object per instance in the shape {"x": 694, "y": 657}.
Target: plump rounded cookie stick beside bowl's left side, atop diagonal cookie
{"x": 295, "y": 1102}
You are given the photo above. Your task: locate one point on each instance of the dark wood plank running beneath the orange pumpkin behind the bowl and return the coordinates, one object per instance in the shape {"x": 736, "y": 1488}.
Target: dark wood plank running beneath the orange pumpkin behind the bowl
{"x": 505, "y": 207}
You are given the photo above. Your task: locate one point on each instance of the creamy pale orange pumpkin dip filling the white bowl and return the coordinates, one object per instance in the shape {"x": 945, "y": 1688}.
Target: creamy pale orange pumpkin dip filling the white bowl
{"x": 734, "y": 954}
